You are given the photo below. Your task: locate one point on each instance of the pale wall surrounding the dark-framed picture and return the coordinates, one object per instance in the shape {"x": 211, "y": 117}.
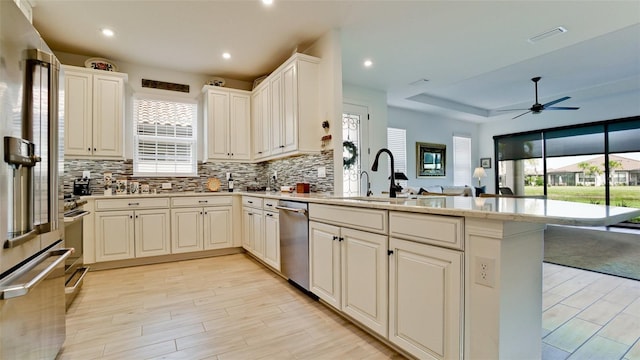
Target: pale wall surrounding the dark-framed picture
{"x": 428, "y": 128}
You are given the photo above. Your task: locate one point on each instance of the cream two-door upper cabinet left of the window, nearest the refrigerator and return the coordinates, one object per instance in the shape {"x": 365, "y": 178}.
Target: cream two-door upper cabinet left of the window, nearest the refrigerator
{"x": 93, "y": 113}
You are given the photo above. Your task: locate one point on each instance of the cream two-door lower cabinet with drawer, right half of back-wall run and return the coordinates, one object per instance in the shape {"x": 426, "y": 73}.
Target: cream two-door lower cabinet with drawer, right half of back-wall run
{"x": 206, "y": 227}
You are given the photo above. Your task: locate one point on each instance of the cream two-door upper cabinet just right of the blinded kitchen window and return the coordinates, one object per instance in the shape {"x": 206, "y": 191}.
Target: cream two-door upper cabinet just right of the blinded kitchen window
{"x": 227, "y": 122}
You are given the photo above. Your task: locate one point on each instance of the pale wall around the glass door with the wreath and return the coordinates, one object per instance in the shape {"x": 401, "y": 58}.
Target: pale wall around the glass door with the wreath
{"x": 376, "y": 101}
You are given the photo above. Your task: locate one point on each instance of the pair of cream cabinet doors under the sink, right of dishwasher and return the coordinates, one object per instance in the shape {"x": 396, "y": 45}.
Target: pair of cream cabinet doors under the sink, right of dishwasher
{"x": 348, "y": 270}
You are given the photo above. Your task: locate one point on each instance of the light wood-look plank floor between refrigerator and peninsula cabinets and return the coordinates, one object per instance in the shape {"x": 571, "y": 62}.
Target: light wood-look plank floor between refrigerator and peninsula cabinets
{"x": 226, "y": 307}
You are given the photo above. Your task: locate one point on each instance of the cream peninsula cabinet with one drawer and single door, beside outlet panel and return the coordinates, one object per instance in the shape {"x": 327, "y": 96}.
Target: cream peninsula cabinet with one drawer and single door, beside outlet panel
{"x": 426, "y": 303}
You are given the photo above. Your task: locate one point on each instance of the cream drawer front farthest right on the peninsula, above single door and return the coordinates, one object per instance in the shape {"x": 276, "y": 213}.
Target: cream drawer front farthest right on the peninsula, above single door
{"x": 430, "y": 229}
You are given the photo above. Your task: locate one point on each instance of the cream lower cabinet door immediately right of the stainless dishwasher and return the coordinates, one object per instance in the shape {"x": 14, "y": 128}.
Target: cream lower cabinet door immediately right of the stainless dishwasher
{"x": 324, "y": 262}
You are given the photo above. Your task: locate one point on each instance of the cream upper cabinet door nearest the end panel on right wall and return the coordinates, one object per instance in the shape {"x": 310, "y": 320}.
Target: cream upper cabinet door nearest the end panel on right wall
{"x": 289, "y": 108}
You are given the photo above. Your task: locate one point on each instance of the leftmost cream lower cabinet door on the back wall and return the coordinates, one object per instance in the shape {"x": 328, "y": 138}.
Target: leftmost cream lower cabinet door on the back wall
{"x": 114, "y": 235}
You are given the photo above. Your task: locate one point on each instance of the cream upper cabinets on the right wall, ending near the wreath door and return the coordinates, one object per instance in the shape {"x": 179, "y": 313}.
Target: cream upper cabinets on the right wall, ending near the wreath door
{"x": 293, "y": 108}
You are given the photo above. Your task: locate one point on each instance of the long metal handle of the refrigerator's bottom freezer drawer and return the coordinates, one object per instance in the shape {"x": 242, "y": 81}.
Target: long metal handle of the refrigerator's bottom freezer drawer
{"x": 13, "y": 291}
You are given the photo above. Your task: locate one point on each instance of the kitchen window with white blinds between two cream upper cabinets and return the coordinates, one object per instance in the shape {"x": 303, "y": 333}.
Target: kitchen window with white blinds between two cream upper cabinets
{"x": 164, "y": 137}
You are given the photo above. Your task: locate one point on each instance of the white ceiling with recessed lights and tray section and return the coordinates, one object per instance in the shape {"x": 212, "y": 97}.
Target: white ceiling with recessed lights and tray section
{"x": 474, "y": 53}
